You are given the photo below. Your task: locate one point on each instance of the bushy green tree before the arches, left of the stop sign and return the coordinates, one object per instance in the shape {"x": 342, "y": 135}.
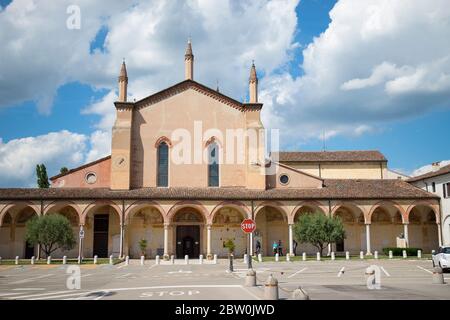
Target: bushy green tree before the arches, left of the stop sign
{"x": 51, "y": 232}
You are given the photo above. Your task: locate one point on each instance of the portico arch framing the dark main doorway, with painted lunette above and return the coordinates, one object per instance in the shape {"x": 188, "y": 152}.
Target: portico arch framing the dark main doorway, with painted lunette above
{"x": 188, "y": 224}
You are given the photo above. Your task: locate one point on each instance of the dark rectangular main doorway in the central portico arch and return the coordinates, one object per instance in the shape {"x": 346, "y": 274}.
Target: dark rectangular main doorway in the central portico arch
{"x": 188, "y": 241}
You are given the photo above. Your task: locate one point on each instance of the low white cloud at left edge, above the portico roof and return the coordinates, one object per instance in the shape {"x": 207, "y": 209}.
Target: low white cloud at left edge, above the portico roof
{"x": 19, "y": 157}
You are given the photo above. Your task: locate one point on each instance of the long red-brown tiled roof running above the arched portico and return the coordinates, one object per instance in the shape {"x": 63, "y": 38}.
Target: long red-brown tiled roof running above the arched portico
{"x": 333, "y": 189}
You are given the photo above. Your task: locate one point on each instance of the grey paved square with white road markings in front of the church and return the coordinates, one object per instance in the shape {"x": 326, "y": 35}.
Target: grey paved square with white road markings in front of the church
{"x": 400, "y": 279}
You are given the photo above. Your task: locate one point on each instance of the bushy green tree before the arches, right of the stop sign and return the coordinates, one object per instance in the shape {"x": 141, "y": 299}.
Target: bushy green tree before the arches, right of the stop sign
{"x": 319, "y": 230}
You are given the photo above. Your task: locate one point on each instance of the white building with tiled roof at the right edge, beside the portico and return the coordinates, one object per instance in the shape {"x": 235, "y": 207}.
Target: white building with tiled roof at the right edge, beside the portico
{"x": 438, "y": 182}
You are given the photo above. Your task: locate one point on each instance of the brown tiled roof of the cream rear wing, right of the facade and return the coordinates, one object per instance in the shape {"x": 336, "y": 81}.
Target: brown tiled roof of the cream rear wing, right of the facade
{"x": 332, "y": 156}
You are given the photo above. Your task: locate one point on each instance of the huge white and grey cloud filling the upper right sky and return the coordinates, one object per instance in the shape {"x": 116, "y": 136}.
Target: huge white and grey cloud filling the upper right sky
{"x": 378, "y": 61}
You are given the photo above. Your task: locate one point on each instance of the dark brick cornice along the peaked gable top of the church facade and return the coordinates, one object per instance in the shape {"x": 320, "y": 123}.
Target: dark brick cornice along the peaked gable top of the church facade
{"x": 183, "y": 86}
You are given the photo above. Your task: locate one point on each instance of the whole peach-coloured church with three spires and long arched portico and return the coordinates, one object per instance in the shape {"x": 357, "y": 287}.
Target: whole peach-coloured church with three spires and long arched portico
{"x": 188, "y": 164}
